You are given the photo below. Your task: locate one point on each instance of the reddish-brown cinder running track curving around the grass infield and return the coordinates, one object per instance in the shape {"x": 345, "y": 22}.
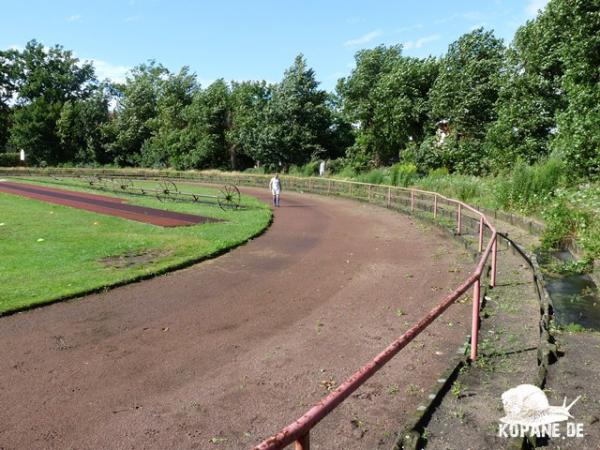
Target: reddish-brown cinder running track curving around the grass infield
{"x": 226, "y": 352}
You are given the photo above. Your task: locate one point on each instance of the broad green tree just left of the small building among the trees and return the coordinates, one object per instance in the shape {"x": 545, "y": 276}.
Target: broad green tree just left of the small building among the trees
{"x": 386, "y": 95}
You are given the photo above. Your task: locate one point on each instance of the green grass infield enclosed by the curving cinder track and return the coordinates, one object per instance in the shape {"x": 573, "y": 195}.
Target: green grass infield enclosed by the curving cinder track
{"x": 48, "y": 251}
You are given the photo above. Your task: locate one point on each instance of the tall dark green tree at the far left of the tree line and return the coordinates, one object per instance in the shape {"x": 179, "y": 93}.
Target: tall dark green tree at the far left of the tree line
{"x": 45, "y": 80}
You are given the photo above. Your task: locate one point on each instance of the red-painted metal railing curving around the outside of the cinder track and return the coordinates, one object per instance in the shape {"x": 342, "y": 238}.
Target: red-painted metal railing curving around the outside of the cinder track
{"x": 408, "y": 199}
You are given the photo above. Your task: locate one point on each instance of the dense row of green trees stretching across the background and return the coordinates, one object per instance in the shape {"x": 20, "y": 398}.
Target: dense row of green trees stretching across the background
{"x": 477, "y": 109}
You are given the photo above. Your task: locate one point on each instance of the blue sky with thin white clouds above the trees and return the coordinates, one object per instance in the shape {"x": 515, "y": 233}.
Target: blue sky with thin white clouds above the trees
{"x": 252, "y": 39}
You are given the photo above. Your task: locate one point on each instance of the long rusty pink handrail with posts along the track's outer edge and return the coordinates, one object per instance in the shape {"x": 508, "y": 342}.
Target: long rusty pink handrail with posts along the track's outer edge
{"x": 298, "y": 432}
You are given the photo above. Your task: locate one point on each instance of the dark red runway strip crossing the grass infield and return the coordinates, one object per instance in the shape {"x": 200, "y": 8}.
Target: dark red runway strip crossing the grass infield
{"x": 102, "y": 204}
